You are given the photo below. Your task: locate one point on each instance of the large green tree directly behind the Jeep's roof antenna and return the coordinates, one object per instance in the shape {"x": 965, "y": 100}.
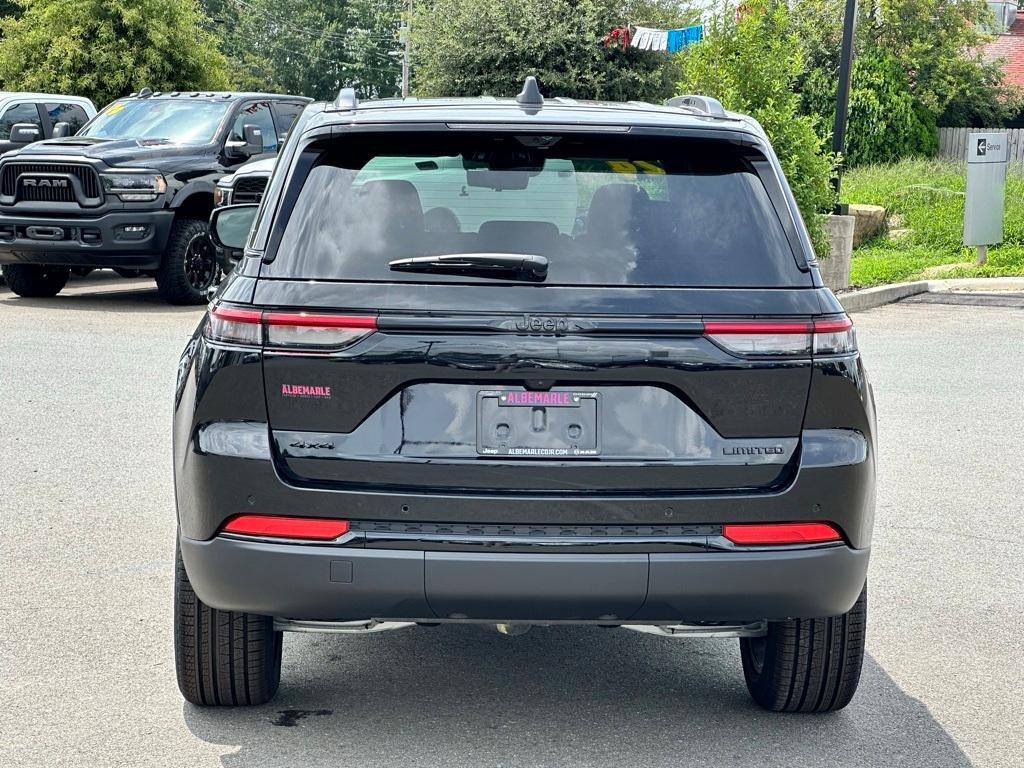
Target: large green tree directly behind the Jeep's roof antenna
{"x": 475, "y": 48}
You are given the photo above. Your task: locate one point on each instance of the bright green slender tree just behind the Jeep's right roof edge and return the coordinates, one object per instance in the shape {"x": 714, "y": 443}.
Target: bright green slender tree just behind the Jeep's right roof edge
{"x": 751, "y": 65}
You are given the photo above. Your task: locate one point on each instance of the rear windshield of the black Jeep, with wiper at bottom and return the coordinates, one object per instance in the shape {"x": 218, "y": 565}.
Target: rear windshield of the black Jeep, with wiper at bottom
{"x": 620, "y": 211}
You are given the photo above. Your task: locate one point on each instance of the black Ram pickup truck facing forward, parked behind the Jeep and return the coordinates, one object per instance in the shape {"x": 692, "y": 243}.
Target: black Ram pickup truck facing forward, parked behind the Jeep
{"x": 134, "y": 190}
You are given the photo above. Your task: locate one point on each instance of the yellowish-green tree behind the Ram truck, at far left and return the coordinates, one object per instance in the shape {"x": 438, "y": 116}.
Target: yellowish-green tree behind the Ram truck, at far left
{"x": 106, "y": 49}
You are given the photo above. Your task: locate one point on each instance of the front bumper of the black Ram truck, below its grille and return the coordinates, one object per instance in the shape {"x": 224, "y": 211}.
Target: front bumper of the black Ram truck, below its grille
{"x": 78, "y": 241}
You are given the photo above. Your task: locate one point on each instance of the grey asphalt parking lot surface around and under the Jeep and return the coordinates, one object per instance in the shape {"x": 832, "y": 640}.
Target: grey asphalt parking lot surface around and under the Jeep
{"x": 87, "y": 564}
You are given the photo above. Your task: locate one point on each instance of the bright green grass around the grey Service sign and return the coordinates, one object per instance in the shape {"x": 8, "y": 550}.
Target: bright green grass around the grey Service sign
{"x": 928, "y": 196}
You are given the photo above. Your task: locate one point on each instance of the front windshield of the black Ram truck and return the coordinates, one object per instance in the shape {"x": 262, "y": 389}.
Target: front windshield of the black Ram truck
{"x": 184, "y": 120}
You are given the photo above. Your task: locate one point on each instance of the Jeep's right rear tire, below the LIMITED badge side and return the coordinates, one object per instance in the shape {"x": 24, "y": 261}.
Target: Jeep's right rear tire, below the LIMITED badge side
{"x": 807, "y": 665}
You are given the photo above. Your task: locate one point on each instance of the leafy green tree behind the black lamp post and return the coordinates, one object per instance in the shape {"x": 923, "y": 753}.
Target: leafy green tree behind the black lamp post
{"x": 916, "y": 61}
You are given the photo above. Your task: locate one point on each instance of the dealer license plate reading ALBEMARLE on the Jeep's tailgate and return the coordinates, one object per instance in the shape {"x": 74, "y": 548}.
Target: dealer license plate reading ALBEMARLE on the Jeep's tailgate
{"x": 538, "y": 425}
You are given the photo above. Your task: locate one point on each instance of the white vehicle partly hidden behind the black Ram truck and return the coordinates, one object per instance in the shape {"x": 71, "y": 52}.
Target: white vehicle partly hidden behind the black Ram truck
{"x": 30, "y": 117}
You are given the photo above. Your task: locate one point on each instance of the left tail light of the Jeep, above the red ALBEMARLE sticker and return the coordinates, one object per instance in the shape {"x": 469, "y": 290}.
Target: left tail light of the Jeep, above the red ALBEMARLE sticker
{"x": 288, "y": 331}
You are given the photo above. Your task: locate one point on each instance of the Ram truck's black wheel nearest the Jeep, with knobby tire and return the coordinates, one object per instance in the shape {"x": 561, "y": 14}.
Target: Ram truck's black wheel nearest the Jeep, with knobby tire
{"x": 190, "y": 264}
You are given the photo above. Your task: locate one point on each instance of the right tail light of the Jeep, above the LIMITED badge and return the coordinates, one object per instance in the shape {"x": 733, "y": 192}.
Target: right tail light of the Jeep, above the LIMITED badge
{"x": 756, "y": 338}
